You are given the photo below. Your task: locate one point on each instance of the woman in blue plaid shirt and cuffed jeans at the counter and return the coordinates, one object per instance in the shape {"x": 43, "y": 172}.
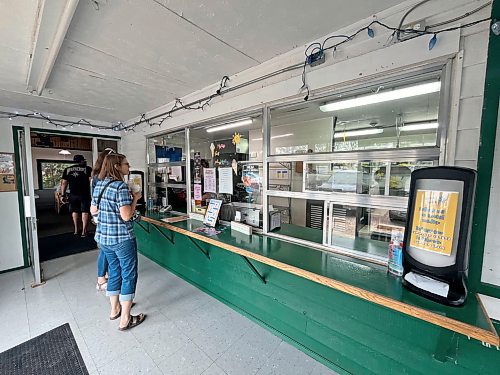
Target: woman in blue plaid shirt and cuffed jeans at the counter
{"x": 116, "y": 237}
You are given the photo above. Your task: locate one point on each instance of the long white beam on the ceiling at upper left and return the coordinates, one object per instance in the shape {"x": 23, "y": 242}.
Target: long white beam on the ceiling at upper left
{"x": 54, "y": 24}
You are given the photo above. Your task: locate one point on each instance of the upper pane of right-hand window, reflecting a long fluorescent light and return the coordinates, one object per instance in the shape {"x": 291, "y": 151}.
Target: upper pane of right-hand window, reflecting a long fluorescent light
{"x": 402, "y": 114}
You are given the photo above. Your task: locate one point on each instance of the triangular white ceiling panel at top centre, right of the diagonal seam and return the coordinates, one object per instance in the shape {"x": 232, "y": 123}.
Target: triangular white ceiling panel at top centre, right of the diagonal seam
{"x": 263, "y": 29}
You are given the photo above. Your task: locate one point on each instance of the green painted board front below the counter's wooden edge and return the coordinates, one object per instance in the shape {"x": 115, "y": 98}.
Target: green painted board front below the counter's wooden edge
{"x": 338, "y": 329}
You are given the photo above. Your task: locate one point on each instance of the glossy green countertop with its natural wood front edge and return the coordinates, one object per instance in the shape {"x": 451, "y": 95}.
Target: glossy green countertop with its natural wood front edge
{"x": 354, "y": 277}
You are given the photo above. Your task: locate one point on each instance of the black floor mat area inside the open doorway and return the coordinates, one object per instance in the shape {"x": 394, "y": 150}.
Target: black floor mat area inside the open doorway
{"x": 61, "y": 245}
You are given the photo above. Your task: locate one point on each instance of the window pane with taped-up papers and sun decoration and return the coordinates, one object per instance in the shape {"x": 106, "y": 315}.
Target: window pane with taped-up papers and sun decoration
{"x": 225, "y": 165}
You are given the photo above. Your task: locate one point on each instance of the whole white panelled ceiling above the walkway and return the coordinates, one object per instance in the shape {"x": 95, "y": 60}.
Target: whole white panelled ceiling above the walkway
{"x": 123, "y": 58}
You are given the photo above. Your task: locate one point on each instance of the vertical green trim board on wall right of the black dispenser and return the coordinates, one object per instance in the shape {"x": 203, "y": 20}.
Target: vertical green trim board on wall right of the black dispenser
{"x": 486, "y": 154}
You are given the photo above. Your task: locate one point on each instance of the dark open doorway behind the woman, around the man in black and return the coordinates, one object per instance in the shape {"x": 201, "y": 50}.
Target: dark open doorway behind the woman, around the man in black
{"x": 51, "y": 153}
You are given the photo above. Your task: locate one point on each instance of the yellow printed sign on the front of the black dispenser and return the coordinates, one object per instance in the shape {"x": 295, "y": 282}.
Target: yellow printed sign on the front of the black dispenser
{"x": 434, "y": 220}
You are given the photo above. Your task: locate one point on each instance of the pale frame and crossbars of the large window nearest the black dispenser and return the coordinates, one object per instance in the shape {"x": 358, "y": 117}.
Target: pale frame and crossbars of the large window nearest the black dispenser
{"x": 435, "y": 153}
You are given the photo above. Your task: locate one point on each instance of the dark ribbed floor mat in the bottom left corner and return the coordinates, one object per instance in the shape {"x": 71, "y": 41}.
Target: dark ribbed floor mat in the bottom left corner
{"x": 54, "y": 352}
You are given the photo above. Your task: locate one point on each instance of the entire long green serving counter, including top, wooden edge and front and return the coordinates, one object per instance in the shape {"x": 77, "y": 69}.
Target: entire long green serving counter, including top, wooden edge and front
{"x": 348, "y": 314}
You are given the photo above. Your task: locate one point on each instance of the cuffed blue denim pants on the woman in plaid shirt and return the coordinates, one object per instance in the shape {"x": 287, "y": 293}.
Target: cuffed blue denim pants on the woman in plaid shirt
{"x": 122, "y": 269}
